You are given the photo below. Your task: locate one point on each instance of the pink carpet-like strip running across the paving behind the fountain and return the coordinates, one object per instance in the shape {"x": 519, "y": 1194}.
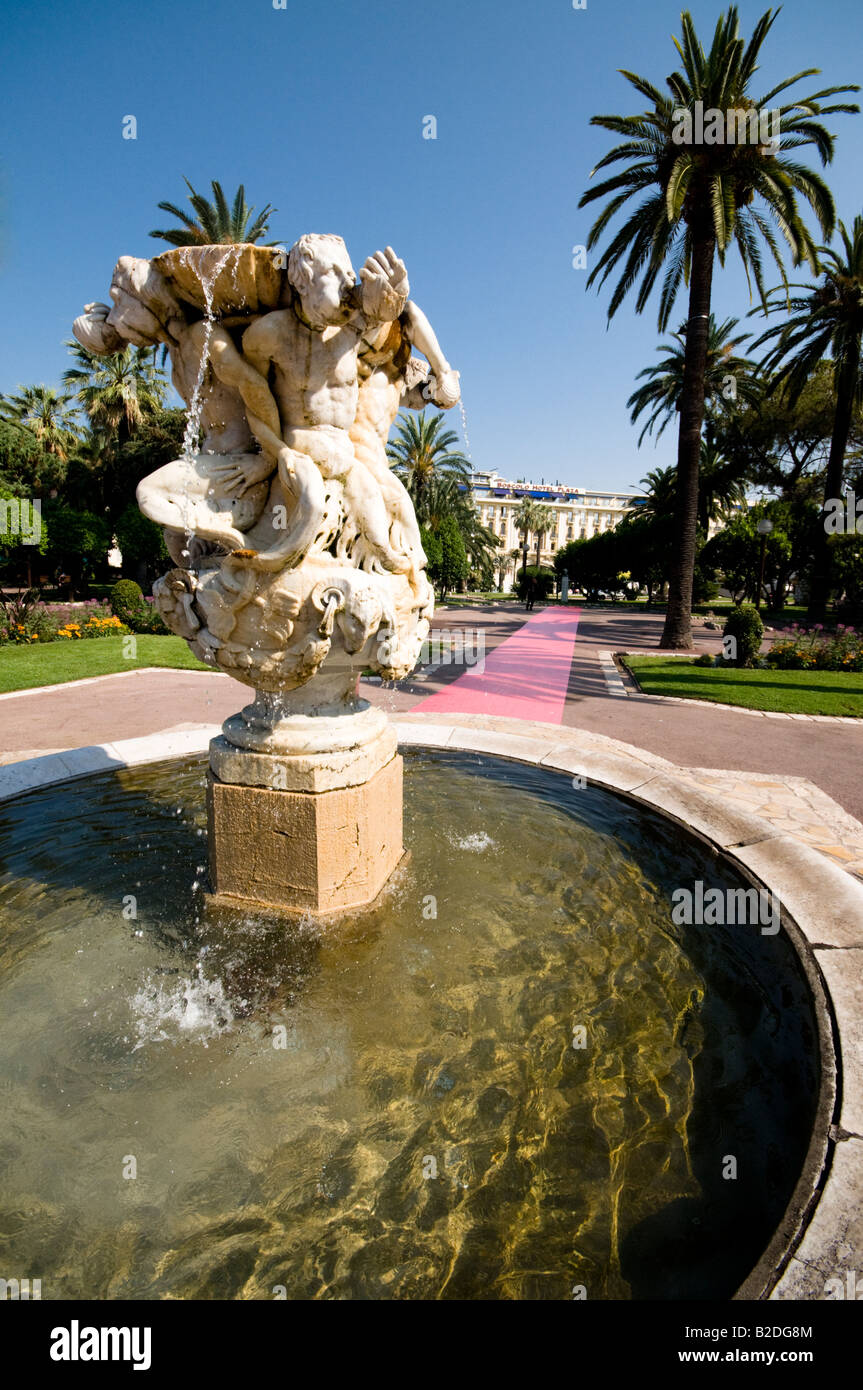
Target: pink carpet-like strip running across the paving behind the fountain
{"x": 525, "y": 678}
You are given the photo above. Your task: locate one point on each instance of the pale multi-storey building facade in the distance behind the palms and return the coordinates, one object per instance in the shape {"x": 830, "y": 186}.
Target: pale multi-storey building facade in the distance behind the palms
{"x": 580, "y": 514}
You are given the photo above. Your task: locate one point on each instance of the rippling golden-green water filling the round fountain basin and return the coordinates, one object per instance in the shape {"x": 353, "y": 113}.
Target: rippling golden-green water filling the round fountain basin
{"x": 279, "y": 1204}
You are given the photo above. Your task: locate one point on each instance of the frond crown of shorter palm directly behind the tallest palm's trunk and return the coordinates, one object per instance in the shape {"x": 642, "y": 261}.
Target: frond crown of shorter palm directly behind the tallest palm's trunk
{"x": 664, "y": 389}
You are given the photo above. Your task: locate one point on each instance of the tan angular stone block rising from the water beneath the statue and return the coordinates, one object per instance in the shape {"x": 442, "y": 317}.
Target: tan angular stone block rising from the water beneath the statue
{"x": 305, "y": 851}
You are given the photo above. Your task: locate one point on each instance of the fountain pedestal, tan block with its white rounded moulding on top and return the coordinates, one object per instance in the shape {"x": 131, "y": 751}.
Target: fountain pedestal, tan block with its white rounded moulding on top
{"x": 305, "y": 810}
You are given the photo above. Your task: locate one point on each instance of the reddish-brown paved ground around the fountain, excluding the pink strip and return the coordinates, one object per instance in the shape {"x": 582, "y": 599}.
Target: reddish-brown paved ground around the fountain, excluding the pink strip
{"x": 804, "y": 776}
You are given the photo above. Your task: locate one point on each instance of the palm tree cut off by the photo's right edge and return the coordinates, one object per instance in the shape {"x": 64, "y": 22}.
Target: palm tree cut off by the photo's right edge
{"x": 829, "y": 319}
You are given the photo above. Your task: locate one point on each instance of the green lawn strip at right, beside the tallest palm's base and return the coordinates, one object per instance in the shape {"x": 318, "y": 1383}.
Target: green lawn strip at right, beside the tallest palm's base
{"x": 790, "y": 693}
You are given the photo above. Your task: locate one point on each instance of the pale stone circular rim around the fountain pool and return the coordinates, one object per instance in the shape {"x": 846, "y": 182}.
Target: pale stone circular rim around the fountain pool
{"x": 819, "y": 900}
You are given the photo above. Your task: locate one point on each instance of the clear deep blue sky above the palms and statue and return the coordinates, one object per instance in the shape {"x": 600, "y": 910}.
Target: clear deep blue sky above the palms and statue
{"x": 319, "y": 111}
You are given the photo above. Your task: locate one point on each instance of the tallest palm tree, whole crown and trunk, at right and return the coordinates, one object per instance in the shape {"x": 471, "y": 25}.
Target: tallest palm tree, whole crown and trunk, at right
{"x": 701, "y": 201}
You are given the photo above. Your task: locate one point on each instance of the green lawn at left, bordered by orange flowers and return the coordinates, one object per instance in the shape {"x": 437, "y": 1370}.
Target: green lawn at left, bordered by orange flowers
{"x": 26, "y": 668}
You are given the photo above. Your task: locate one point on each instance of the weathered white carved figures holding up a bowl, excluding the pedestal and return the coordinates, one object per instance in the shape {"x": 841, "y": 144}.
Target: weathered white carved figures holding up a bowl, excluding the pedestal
{"x": 295, "y": 546}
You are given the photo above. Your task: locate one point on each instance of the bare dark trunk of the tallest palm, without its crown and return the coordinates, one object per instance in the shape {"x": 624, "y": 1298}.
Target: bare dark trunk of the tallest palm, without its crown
{"x": 677, "y": 633}
